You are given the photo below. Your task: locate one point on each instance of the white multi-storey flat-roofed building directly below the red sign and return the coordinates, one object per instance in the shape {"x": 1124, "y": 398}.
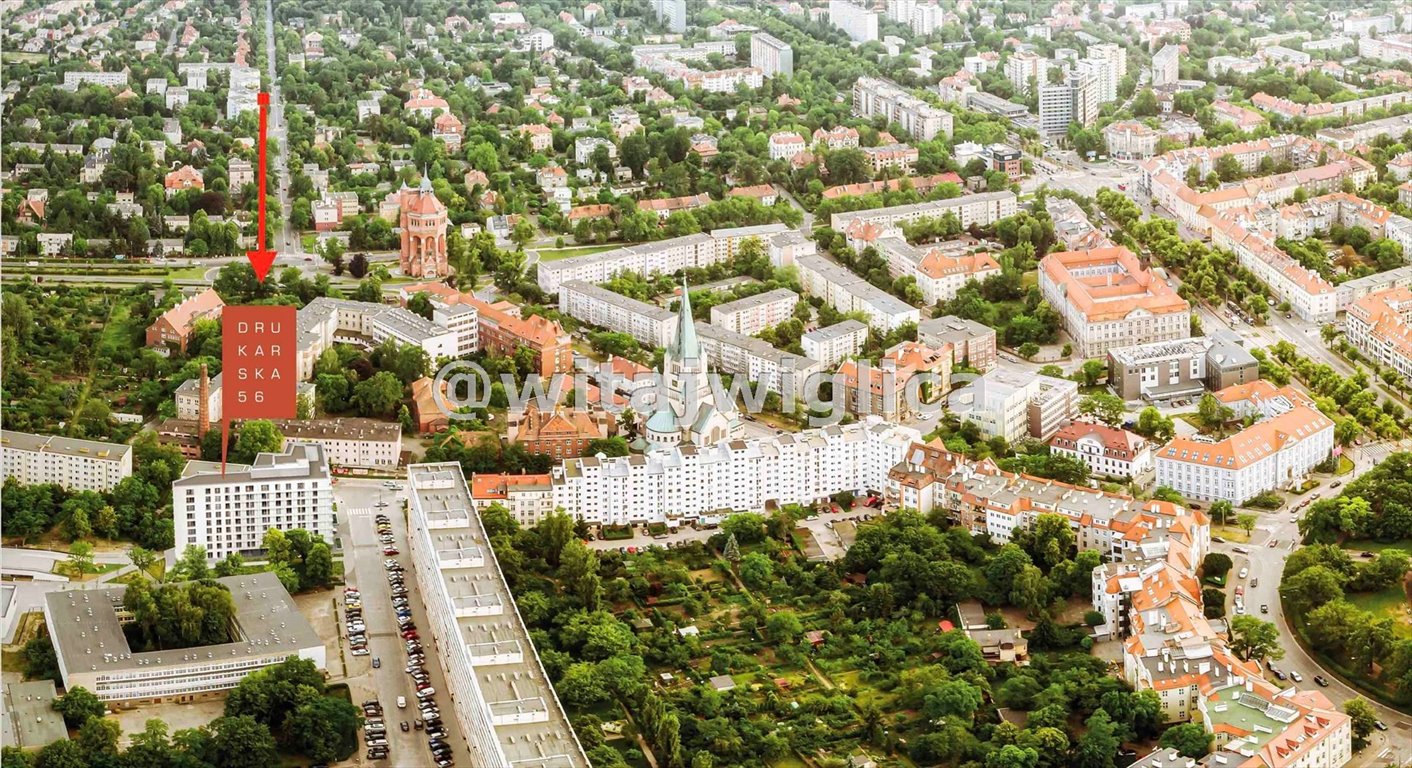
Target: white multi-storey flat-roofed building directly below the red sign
{"x": 231, "y": 513}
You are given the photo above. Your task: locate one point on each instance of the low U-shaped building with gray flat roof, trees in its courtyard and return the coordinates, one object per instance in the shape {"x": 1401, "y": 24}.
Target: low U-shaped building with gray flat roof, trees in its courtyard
{"x": 95, "y": 654}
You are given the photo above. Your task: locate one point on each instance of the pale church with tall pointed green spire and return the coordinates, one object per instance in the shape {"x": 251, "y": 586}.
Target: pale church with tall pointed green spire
{"x": 686, "y": 410}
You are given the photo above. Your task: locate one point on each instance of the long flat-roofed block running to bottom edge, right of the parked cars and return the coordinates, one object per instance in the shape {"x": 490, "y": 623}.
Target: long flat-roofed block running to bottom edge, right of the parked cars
{"x": 509, "y": 712}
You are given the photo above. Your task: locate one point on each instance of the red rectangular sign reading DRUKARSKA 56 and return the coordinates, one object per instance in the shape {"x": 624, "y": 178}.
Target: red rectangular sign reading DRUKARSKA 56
{"x": 261, "y": 365}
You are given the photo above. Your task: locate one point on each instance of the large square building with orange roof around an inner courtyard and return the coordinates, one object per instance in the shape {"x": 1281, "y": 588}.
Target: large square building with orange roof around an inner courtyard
{"x": 1108, "y": 300}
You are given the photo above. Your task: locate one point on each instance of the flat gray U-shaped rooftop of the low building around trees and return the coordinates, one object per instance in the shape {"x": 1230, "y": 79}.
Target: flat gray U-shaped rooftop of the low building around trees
{"x": 91, "y": 637}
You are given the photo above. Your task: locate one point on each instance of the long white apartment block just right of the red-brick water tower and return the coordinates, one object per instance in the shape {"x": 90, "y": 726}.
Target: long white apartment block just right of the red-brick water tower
{"x": 663, "y": 256}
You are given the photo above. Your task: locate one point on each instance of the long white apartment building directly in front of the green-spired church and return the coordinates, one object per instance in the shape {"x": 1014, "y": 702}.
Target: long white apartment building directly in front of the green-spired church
{"x": 687, "y": 484}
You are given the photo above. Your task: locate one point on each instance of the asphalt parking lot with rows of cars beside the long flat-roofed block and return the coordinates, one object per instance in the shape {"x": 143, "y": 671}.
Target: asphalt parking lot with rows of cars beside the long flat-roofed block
{"x": 366, "y": 570}
